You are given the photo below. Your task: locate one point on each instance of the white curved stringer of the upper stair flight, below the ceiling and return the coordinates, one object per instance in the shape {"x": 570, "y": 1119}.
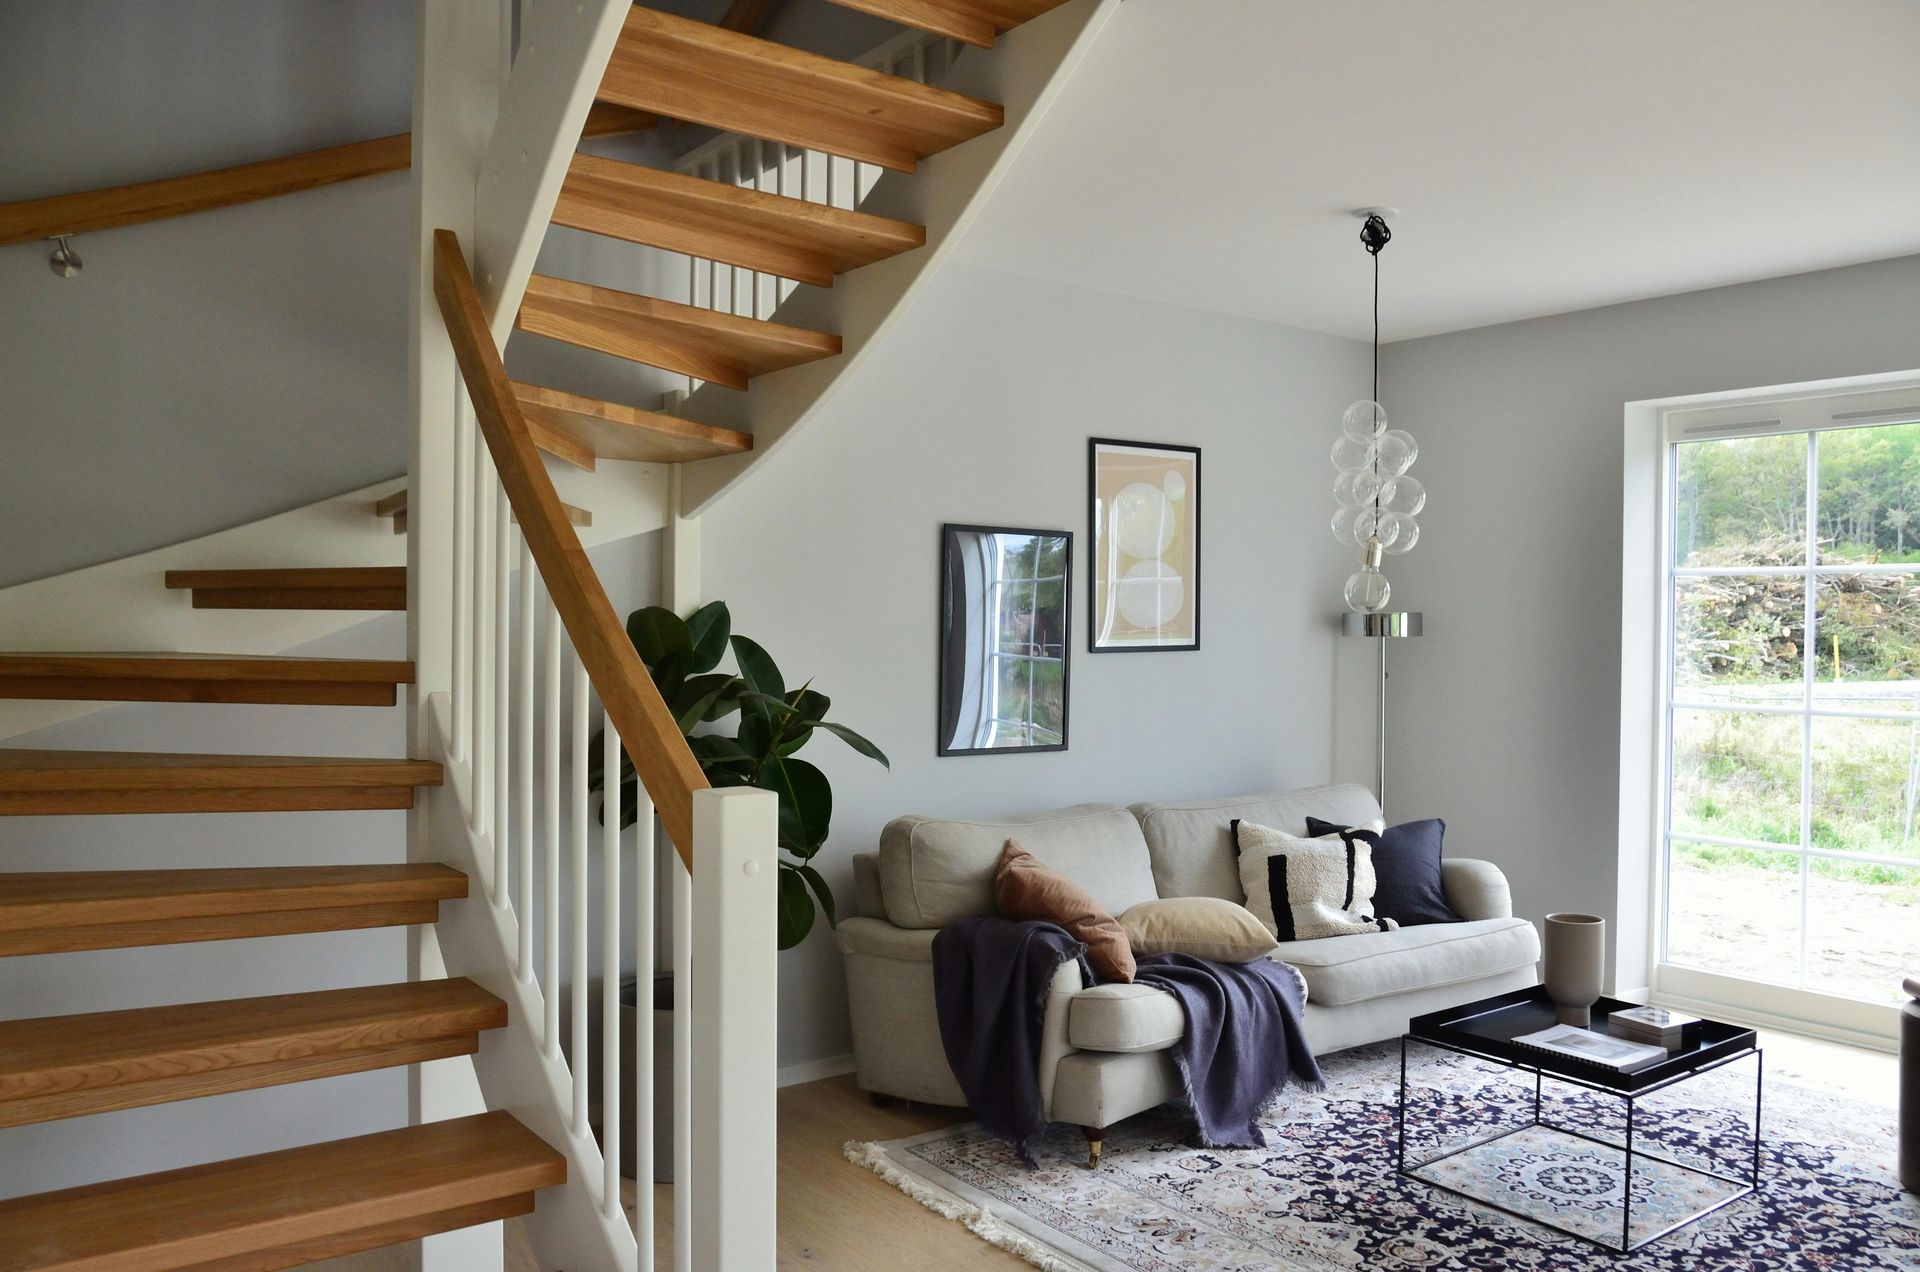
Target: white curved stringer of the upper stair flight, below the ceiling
{"x": 1026, "y": 72}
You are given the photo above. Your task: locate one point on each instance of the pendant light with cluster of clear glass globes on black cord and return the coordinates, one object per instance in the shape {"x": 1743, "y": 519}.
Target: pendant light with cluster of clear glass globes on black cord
{"x": 1378, "y": 501}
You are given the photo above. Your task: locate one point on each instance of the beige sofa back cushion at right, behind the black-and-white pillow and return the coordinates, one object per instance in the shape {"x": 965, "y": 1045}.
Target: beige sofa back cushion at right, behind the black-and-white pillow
{"x": 1191, "y": 841}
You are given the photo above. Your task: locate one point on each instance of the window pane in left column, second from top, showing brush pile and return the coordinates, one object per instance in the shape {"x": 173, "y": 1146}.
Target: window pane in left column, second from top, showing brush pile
{"x": 1739, "y": 641}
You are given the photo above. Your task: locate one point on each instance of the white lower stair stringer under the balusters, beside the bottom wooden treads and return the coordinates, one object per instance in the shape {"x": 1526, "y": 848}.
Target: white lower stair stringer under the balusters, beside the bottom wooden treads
{"x": 475, "y": 939}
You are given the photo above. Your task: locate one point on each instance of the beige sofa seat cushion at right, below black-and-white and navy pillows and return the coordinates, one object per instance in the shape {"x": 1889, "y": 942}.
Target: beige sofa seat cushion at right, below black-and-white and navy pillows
{"x": 1356, "y": 969}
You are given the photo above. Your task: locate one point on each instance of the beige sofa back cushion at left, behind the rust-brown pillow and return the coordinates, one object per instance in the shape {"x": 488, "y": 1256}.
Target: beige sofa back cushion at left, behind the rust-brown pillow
{"x": 934, "y": 871}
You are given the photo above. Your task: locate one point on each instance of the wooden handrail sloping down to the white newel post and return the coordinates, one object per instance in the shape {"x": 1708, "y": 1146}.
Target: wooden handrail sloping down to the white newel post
{"x": 654, "y": 739}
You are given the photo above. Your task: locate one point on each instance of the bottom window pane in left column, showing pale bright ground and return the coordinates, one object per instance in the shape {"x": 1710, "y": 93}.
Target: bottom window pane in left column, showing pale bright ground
{"x": 1735, "y": 912}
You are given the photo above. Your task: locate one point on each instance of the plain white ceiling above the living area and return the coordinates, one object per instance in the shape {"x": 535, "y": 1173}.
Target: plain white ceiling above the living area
{"x": 1545, "y": 155}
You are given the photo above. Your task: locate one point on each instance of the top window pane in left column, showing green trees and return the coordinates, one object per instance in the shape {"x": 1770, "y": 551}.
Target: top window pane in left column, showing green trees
{"x": 1742, "y": 502}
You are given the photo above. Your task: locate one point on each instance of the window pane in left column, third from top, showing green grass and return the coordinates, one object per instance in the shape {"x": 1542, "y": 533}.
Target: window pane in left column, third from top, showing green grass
{"x": 1737, "y": 775}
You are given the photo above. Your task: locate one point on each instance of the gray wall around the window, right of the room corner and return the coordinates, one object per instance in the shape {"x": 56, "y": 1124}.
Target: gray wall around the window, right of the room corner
{"x": 1506, "y": 714}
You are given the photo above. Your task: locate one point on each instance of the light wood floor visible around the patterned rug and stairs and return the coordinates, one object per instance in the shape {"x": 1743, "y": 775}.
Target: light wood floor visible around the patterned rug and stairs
{"x": 838, "y": 1215}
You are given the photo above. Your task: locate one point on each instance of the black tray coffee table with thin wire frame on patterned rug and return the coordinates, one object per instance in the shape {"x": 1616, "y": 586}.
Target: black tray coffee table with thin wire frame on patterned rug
{"x": 1487, "y": 1031}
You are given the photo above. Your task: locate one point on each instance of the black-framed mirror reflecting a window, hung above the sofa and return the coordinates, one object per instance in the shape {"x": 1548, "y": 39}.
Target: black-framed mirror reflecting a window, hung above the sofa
{"x": 1003, "y": 641}
